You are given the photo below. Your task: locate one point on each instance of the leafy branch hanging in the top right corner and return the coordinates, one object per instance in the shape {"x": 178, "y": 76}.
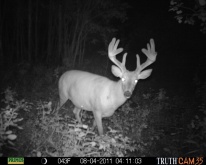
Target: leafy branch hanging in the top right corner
{"x": 190, "y": 13}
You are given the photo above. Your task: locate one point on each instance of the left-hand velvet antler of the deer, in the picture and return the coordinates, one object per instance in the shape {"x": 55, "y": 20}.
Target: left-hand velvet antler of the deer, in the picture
{"x": 113, "y": 51}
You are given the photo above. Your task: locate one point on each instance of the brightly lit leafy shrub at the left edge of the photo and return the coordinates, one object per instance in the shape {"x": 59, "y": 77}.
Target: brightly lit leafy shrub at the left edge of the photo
{"x": 9, "y": 118}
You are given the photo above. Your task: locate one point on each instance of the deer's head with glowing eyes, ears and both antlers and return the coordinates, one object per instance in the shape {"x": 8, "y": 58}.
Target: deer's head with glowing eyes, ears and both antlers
{"x": 129, "y": 79}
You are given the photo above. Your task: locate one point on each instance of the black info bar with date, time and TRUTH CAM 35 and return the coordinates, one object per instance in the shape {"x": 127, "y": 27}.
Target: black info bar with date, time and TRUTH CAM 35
{"x": 104, "y": 160}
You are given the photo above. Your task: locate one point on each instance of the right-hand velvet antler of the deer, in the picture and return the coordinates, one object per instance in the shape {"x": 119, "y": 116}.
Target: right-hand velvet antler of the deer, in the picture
{"x": 150, "y": 53}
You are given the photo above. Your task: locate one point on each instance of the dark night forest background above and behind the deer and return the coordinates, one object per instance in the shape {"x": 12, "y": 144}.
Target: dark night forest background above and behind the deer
{"x": 77, "y": 33}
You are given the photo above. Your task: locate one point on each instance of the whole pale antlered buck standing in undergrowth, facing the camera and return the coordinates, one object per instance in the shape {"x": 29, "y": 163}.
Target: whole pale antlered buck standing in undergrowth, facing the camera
{"x": 99, "y": 94}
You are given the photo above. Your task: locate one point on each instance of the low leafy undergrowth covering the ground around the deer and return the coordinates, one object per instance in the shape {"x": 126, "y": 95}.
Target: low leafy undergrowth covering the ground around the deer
{"x": 150, "y": 124}
